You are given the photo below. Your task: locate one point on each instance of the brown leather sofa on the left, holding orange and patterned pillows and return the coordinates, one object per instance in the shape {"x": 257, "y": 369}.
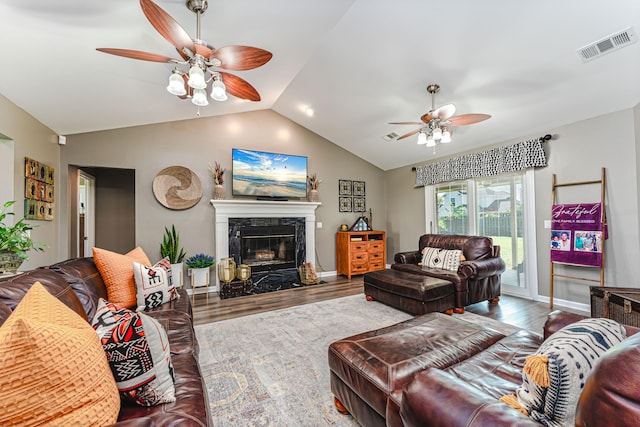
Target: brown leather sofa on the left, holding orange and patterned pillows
{"x": 77, "y": 283}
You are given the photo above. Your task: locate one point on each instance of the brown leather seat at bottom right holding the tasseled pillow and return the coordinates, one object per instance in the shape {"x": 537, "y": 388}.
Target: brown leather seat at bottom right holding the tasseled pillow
{"x": 453, "y": 397}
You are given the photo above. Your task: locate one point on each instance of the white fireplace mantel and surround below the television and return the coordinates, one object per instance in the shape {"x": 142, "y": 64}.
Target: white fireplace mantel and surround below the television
{"x": 225, "y": 209}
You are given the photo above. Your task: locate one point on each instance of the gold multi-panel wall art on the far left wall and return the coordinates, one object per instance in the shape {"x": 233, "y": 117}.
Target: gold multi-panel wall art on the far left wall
{"x": 39, "y": 190}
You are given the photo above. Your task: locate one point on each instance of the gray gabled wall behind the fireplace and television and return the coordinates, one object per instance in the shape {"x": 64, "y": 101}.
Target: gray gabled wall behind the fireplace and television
{"x": 196, "y": 143}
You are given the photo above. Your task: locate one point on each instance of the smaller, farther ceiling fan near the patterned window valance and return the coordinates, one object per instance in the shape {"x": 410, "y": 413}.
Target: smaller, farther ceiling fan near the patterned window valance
{"x": 437, "y": 125}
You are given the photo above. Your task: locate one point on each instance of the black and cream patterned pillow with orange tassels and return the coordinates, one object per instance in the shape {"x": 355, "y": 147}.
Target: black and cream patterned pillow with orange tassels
{"x": 553, "y": 378}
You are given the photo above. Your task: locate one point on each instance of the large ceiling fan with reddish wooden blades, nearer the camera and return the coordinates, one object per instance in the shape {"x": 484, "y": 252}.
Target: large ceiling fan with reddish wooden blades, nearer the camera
{"x": 203, "y": 62}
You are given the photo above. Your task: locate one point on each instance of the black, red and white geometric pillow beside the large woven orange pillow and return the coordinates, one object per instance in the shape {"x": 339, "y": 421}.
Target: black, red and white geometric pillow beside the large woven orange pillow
{"x": 138, "y": 352}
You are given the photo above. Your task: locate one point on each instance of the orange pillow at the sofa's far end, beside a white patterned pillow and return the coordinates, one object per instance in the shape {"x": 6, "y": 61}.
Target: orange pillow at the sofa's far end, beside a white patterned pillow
{"x": 117, "y": 272}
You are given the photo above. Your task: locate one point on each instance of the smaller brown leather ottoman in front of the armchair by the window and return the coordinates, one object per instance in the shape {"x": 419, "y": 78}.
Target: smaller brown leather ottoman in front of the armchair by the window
{"x": 413, "y": 293}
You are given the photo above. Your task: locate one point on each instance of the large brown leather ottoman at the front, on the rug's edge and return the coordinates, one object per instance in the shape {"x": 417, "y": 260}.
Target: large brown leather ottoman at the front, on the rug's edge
{"x": 368, "y": 367}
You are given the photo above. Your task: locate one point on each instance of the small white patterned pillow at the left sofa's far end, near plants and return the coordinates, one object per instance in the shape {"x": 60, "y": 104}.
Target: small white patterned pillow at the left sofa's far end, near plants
{"x": 154, "y": 284}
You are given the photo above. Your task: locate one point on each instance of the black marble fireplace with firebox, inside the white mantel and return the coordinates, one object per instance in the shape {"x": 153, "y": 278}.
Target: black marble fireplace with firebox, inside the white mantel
{"x": 267, "y": 244}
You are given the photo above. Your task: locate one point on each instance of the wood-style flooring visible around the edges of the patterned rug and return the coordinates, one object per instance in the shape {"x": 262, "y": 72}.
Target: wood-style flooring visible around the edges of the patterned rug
{"x": 516, "y": 311}
